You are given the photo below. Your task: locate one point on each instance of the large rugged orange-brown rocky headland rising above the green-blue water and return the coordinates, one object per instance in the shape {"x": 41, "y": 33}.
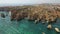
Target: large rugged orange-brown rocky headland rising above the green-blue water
{"x": 42, "y": 13}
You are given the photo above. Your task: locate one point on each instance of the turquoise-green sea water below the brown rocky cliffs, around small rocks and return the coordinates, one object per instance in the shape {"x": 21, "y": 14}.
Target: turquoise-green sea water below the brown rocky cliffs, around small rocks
{"x": 25, "y": 27}
